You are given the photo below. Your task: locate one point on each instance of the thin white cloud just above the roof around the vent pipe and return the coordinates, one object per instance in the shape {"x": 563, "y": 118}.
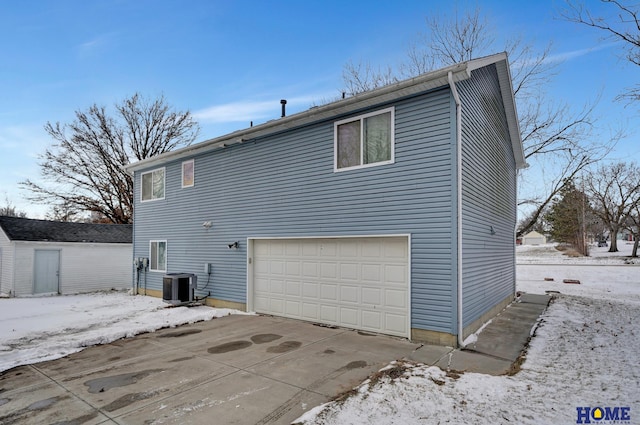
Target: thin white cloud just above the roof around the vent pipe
{"x": 249, "y": 110}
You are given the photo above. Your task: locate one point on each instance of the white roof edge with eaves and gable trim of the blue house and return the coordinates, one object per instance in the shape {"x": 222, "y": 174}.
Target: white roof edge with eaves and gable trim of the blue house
{"x": 391, "y": 92}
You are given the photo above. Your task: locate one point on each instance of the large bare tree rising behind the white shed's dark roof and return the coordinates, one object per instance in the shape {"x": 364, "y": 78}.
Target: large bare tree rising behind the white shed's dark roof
{"x": 84, "y": 168}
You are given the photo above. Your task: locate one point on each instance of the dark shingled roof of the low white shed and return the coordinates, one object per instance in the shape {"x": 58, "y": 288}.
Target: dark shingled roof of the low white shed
{"x": 26, "y": 229}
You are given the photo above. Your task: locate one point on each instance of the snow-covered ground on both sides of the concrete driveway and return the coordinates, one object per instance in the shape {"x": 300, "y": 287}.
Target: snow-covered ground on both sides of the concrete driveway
{"x": 585, "y": 353}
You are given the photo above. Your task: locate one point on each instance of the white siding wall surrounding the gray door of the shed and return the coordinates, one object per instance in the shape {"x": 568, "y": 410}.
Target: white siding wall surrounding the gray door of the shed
{"x": 84, "y": 267}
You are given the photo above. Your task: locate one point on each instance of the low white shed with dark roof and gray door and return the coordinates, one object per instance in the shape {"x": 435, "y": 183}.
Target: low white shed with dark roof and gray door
{"x": 50, "y": 257}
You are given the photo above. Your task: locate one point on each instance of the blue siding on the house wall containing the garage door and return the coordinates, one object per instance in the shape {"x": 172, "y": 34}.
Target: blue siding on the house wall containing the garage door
{"x": 284, "y": 185}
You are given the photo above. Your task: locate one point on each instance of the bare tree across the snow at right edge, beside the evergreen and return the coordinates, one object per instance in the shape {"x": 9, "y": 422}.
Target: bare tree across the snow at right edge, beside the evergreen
{"x": 613, "y": 190}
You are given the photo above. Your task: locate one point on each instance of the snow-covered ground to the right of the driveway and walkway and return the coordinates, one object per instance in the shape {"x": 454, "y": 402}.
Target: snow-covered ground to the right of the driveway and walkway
{"x": 584, "y": 354}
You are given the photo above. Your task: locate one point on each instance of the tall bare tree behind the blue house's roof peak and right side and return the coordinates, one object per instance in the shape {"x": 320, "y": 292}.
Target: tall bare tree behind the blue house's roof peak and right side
{"x": 552, "y": 133}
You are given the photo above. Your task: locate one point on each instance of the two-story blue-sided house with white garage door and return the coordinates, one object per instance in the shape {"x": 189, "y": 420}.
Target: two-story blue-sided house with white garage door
{"x": 392, "y": 211}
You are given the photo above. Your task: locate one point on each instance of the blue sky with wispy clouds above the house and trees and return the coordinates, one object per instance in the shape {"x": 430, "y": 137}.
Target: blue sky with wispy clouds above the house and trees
{"x": 230, "y": 62}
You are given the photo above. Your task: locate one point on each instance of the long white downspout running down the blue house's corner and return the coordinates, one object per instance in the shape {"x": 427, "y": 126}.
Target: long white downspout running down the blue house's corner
{"x": 459, "y": 202}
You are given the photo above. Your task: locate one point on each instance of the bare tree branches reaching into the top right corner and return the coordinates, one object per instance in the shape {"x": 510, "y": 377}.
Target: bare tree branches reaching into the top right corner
{"x": 623, "y": 26}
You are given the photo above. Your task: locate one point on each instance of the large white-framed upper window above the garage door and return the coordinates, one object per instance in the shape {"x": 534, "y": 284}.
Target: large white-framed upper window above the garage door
{"x": 364, "y": 141}
